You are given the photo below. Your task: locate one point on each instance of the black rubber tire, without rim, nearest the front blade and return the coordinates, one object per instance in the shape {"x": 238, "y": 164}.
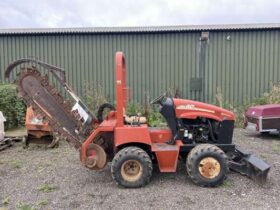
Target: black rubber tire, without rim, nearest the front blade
{"x": 196, "y": 155}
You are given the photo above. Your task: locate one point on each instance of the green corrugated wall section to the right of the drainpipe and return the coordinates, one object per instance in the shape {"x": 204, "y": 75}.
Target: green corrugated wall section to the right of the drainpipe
{"x": 243, "y": 64}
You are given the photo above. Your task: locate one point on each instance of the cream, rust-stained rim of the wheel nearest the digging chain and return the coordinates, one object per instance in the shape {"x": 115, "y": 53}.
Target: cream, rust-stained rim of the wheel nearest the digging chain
{"x": 131, "y": 170}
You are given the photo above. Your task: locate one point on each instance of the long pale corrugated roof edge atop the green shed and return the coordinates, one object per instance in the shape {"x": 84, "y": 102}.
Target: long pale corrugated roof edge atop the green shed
{"x": 139, "y": 29}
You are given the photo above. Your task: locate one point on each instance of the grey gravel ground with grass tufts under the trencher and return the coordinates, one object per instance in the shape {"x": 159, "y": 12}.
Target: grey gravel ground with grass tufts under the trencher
{"x": 41, "y": 178}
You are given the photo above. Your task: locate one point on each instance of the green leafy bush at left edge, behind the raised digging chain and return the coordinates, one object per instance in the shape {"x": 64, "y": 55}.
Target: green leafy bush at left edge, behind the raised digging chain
{"x": 12, "y": 107}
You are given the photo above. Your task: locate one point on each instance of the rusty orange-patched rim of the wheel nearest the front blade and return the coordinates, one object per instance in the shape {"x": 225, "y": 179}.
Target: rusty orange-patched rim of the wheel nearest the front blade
{"x": 209, "y": 167}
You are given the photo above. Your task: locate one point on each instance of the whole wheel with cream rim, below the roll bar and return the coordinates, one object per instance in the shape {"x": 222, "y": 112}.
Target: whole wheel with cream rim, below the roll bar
{"x": 132, "y": 167}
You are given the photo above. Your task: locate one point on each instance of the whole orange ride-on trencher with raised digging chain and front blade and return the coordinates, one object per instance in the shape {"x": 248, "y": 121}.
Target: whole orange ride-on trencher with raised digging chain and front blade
{"x": 199, "y": 134}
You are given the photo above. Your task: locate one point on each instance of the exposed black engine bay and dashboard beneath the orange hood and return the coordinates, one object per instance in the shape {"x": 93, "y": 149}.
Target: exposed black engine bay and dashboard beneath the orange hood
{"x": 196, "y": 130}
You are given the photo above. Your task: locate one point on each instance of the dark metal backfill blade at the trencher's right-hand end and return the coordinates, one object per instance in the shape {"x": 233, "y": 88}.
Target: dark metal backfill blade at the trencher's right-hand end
{"x": 249, "y": 165}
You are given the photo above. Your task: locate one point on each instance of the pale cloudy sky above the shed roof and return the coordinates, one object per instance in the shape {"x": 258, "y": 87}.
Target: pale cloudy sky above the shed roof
{"x": 116, "y": 13}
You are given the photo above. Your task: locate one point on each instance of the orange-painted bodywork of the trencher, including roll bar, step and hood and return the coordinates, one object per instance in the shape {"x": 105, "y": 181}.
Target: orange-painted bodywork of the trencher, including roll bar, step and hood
{"x": 167, "y": 155}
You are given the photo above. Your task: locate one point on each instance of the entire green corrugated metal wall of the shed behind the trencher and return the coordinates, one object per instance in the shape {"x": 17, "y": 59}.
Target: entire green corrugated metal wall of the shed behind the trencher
{"x": 242, "y": 63}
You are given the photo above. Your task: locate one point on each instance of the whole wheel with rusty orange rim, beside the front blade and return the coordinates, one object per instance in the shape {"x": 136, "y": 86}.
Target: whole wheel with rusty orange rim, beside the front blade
{"x": 207, "y": 165}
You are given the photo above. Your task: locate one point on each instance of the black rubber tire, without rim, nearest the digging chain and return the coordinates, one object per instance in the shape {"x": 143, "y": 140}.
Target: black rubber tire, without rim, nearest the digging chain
{"x": 132, "y": 153}
